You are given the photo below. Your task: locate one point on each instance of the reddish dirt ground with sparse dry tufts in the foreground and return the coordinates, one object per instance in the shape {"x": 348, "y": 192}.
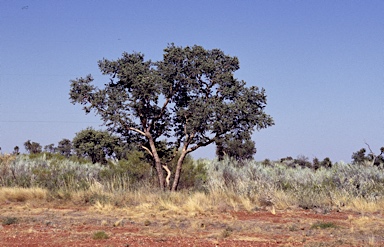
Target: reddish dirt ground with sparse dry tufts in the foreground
{"x": 33, "y": 224}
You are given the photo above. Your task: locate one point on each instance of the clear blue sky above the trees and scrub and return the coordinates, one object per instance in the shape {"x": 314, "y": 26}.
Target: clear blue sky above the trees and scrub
{"x": 320, "y": 62}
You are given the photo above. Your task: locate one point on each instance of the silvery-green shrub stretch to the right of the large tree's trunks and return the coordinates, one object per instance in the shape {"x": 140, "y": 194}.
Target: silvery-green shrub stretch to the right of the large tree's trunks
{"x": 308, "y": 186}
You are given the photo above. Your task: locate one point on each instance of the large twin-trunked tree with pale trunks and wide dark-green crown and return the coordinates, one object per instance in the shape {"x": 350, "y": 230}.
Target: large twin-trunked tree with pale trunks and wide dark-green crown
{"x": 190, "y": 96}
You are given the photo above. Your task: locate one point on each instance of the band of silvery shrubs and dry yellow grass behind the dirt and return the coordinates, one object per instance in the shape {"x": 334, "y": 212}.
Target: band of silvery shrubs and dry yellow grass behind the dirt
{"x": 206, "y": 185}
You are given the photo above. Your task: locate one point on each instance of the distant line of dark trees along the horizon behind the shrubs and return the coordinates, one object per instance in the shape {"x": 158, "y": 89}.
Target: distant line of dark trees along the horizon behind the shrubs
{"x": 98, "y": 146}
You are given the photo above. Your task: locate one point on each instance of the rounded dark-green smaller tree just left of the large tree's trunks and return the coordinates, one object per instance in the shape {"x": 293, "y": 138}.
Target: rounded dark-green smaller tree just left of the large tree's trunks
{"x": 95, "y": 144}
